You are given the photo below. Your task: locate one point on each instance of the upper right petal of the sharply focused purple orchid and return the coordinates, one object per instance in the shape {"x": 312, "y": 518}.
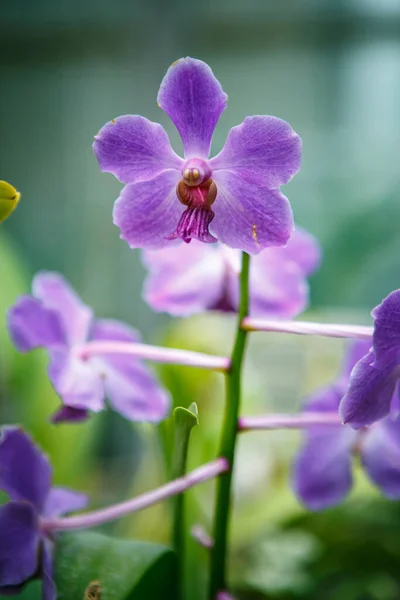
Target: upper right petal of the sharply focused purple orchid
{"x": 263, "y": 150}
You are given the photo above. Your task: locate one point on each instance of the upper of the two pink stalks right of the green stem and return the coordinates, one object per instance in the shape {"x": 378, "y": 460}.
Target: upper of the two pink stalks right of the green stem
{"x": 307, "y": 328}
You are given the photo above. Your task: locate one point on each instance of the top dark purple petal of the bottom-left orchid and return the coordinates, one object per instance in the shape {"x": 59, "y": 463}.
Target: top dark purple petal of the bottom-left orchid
{"x": 25, "y": 473}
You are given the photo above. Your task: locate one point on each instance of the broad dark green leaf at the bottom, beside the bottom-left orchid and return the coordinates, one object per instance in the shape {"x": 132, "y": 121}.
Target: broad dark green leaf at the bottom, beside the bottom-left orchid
{"x": 124, "y": 569}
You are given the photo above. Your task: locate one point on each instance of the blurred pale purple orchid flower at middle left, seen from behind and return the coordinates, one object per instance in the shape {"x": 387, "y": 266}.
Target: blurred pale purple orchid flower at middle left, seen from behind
{"x": 55, "y": 318}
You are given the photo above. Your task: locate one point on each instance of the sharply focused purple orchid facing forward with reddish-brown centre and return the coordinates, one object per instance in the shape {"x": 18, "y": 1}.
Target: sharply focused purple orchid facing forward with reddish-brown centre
{"x": 233, "y": 197}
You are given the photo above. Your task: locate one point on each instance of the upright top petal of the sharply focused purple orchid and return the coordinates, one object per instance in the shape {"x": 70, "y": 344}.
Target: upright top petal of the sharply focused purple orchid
{"x": 194, "y": 100}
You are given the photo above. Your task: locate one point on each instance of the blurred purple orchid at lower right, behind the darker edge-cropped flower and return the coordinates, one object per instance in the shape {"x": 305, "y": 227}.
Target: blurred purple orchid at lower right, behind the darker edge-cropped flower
{"x": 322, "y": 471}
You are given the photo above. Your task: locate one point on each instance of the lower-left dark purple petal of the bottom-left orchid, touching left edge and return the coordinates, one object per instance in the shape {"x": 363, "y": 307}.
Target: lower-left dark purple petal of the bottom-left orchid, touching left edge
{"x": 19, "y": 543}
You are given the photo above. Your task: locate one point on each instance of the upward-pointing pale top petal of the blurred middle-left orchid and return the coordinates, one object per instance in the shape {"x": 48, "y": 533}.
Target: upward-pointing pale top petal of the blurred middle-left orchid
{"x": 57, "y": 295}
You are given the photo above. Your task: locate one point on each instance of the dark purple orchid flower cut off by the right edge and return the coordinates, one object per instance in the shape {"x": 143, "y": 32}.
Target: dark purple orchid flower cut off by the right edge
{"x": 373, "y": 390}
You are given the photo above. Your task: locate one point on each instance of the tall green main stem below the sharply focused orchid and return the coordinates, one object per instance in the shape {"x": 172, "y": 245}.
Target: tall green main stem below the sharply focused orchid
{"x": 228, "y": 441}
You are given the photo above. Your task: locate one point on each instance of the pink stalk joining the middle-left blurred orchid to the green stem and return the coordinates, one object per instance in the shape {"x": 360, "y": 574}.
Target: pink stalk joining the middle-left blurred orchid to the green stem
{"x": 154, "y": 353}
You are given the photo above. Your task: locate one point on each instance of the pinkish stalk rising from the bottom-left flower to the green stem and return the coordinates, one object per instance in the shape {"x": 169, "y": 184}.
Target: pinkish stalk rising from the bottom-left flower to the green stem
{"x": 116, "y": 511}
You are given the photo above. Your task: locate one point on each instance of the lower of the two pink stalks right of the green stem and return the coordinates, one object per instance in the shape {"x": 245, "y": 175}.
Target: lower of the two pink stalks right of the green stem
{"x": 288, "y": 421}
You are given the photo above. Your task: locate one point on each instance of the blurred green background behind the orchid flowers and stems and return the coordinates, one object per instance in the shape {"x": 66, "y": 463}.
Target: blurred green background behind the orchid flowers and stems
{"x": 332, "y": 69}
